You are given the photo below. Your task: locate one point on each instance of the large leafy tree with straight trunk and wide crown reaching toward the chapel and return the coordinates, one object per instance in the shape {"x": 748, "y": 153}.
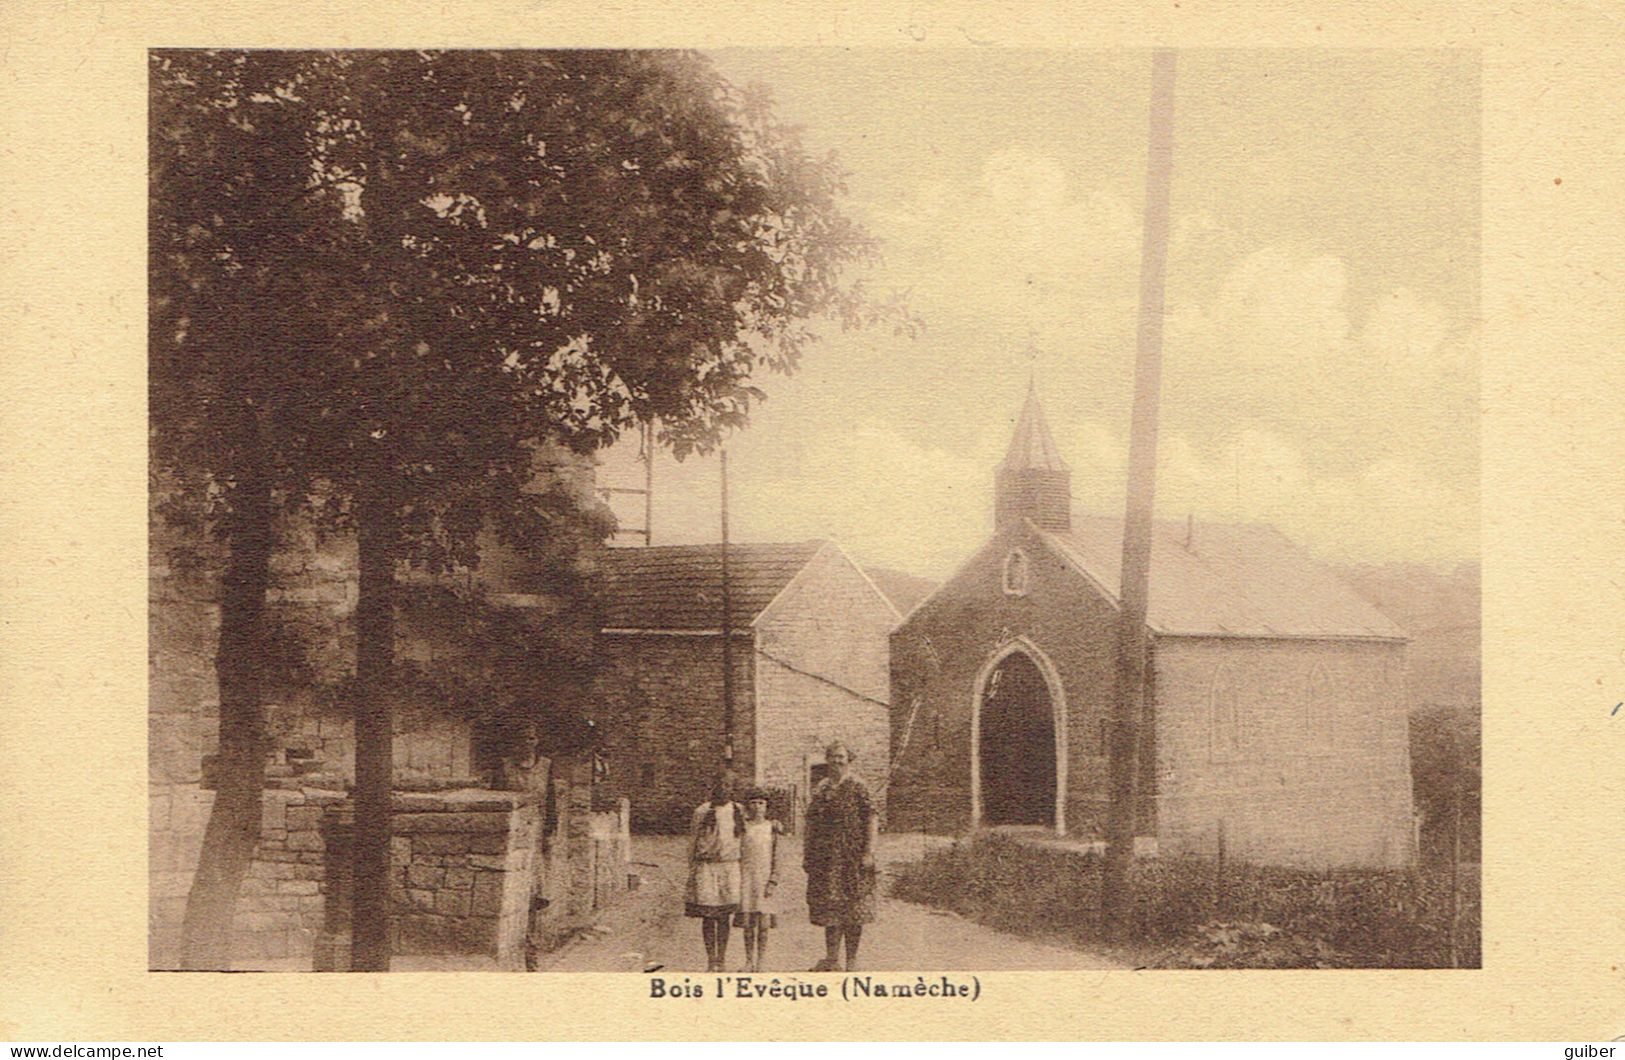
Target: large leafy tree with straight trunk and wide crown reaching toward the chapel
{"x": 529, "y": 248}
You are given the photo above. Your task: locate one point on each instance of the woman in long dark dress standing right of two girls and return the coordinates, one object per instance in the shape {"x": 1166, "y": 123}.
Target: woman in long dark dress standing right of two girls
{"x": 843, "y": 832}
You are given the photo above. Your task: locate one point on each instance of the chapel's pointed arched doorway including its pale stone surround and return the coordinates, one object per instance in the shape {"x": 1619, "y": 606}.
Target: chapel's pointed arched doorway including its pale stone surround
{"x": 1020, "y": 770}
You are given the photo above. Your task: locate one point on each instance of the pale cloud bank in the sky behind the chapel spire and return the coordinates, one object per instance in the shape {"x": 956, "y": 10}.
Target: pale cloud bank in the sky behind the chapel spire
{"x": 1348, "y": 424}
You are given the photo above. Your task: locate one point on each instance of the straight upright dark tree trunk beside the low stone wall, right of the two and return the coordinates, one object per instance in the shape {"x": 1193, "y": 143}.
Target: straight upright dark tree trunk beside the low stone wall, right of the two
{"x": 375, "y": 728}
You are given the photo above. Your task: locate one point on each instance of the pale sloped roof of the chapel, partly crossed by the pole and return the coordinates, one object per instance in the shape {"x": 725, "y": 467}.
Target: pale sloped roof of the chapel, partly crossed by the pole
{"x": 1236, "y": 580}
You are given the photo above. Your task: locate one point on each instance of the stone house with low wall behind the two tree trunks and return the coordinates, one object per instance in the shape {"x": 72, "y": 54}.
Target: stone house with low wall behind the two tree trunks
{"x": 487, "y": 853}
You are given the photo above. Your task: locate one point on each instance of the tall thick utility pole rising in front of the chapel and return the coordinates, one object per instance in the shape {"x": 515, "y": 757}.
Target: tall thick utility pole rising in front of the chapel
{"x": 1117, "y": 898}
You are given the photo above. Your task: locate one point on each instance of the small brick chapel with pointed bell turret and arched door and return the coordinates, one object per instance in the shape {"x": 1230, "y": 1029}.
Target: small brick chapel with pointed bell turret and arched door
{"x": 1275, "y": 721}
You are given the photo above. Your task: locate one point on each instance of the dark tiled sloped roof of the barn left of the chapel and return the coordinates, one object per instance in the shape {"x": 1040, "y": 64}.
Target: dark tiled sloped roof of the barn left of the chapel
{"x": 680, "y": 586}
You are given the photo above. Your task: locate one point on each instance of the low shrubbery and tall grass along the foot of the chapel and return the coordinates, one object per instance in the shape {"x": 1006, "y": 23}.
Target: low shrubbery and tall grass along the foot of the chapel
{"x": 1194, "y": 916}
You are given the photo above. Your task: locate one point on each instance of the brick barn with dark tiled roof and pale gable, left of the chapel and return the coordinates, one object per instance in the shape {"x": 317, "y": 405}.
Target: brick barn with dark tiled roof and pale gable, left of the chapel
{"x": 808, "y": 662}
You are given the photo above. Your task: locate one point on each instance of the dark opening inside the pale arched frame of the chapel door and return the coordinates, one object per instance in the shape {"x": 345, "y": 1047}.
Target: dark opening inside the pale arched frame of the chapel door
{"x": 1018, "y": 745}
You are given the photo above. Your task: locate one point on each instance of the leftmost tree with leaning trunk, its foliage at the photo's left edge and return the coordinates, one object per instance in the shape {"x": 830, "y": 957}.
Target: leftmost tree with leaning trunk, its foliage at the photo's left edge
{"x": 233, "y": 224}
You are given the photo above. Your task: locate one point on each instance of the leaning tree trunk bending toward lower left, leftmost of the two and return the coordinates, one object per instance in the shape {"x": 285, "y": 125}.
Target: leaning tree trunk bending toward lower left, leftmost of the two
{"x": 235, "y": 820}
